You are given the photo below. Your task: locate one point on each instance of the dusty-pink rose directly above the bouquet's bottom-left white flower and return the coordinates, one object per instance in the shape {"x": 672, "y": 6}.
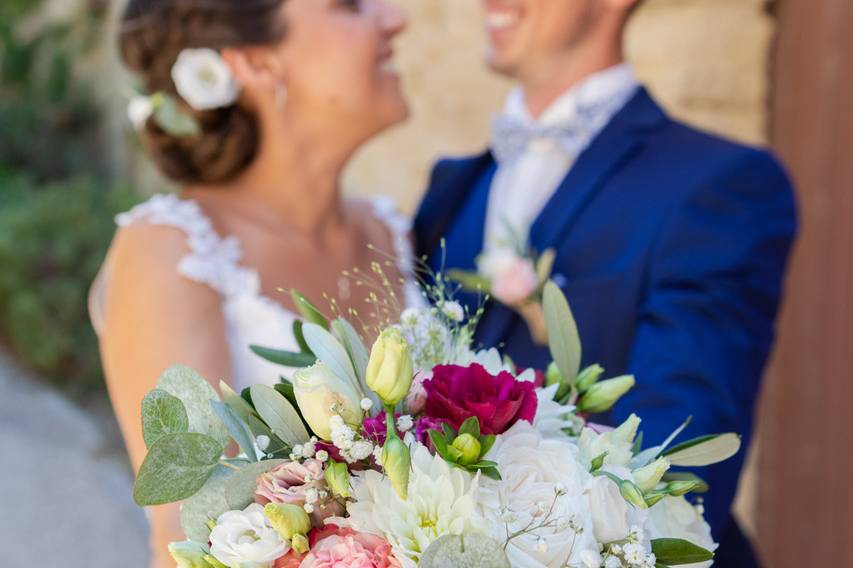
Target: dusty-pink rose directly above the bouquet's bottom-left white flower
{"x": 291, "y": 483}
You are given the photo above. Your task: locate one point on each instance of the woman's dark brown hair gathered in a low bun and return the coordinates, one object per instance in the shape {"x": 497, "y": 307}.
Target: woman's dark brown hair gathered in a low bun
{"x": 152, "y": 35}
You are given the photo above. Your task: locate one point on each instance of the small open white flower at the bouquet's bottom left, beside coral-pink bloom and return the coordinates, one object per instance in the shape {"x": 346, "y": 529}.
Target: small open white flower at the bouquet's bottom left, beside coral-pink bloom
{"x": 246, "y": 536}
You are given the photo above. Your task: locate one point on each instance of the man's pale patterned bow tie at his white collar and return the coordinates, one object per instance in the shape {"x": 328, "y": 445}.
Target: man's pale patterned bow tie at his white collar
{"x": 511, "y": 136}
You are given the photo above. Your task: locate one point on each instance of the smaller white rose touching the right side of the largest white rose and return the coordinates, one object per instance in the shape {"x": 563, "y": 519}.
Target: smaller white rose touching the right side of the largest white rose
{"x": 612, "y": 515}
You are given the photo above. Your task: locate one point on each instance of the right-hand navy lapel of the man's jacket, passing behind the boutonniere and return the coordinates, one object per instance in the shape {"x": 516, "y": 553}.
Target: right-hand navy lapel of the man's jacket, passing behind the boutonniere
{"x": 616, "y": 144}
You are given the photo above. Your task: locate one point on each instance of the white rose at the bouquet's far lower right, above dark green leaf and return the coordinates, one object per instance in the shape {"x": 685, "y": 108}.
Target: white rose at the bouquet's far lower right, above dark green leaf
{"x": 675, "y": 517}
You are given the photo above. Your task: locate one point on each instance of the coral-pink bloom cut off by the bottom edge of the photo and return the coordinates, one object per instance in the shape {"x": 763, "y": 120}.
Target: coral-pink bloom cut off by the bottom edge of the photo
{"x": 352, "y": 549}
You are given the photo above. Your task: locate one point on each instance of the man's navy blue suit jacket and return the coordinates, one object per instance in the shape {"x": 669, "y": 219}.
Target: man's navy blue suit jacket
{"x": 671, "y": 248}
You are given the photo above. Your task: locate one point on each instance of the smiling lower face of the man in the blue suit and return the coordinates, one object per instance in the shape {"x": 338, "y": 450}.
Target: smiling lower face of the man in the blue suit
{"x": 524, "y": 33}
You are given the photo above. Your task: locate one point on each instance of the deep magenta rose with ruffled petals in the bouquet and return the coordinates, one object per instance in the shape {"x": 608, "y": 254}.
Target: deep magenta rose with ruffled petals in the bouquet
{"x": 455, "y": 394}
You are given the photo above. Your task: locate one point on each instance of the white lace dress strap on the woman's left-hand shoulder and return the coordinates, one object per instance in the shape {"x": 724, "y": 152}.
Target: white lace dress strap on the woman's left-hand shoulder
{"x": 211, "y": 260}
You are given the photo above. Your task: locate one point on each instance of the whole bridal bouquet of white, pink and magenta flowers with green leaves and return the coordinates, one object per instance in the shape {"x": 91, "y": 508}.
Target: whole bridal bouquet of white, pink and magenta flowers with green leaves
{"x": 420, "y": 452}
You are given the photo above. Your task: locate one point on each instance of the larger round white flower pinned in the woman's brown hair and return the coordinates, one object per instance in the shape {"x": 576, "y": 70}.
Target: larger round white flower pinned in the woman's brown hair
{"x": 204, "y": 80}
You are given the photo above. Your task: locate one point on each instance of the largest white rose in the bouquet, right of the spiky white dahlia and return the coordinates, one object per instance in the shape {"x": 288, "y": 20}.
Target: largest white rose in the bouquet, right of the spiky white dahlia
{"x": 534, "y": 471}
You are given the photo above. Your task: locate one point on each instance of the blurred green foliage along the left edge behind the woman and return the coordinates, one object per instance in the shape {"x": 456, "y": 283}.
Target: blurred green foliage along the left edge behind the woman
{"x": 57, "y": 200}
